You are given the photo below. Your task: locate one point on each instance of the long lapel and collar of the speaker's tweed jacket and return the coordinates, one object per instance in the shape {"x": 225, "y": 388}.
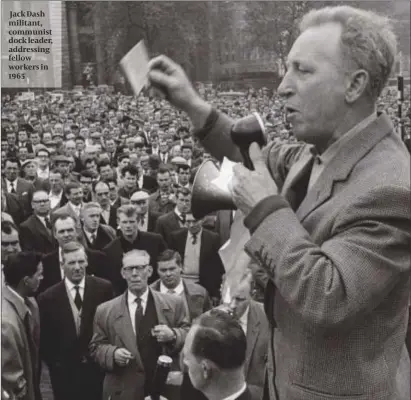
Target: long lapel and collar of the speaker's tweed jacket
{"x": 342, "y": 164}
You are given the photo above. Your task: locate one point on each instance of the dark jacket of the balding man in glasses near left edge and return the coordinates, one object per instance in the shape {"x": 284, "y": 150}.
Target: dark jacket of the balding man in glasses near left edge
{"x": 34, "y": 236}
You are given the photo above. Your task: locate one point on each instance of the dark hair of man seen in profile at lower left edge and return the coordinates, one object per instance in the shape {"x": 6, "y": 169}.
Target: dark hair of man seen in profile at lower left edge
{"x": 18, "y": 266}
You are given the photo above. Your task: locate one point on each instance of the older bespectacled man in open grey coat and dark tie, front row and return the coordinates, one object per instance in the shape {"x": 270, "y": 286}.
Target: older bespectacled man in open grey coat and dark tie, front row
{"x": 134, "y": 329}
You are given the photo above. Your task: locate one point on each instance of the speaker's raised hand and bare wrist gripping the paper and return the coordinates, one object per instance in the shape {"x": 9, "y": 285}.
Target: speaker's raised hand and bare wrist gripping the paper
{"x": 170, "y": 78}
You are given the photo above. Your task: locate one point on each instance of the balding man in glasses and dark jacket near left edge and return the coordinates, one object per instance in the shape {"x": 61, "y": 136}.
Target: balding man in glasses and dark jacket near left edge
{"x": 36, "y": 232}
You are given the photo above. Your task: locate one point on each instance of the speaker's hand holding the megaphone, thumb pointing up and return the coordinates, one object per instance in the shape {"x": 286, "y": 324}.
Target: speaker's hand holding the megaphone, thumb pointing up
{"x": 250, "y": 187}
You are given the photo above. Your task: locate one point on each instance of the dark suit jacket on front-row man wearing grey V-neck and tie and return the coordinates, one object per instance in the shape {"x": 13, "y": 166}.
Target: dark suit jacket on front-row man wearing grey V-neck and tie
{"x": 73, "y": 374}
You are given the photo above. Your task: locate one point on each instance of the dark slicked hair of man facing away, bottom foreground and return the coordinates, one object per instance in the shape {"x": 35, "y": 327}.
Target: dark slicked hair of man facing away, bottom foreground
{"x": 220, "y": 339}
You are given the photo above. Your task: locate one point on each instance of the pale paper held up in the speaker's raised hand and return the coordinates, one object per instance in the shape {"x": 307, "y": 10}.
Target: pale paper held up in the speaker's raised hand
{"x": 135, "y": 67}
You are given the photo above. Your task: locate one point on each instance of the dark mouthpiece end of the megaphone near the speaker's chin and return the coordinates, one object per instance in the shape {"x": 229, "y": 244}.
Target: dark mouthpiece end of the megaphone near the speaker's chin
{"x": 246, "y": 131}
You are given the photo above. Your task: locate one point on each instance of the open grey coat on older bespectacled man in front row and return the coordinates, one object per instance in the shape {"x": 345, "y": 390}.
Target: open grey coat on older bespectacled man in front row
{"x": 113, "y": 329}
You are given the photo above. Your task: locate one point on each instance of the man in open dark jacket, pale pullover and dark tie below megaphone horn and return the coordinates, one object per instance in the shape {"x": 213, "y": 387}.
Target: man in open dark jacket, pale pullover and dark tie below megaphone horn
{"x": 198, "y": 248}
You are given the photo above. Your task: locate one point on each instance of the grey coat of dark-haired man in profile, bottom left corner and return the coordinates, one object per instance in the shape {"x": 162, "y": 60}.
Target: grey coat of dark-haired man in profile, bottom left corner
{"x": 19, "y": 358}
